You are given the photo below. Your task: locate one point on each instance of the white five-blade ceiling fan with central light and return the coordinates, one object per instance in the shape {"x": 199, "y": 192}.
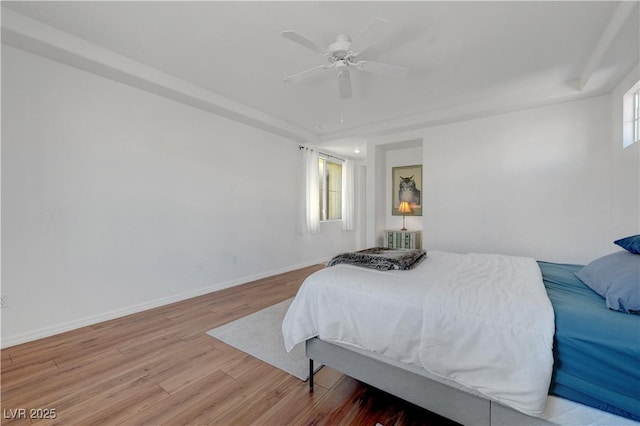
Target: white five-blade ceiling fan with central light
{"x": 343, "y": 54}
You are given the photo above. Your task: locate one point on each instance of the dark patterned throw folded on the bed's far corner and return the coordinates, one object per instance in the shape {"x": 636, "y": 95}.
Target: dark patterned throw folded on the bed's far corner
{"x": 382, "y": 258}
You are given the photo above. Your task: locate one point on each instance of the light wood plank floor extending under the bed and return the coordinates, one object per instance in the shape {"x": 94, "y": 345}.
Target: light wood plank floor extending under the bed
{"x": 160, "y": 367}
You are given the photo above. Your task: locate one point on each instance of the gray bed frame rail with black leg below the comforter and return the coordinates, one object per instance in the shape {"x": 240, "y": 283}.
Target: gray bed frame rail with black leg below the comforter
{"x": 449, "y": 402}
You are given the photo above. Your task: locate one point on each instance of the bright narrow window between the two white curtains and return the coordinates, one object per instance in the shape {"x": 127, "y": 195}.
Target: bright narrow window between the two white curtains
{"x": 330, "y": 176}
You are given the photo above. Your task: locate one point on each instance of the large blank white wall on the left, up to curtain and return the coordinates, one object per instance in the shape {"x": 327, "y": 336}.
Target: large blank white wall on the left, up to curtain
{"x": 115, "y": 200}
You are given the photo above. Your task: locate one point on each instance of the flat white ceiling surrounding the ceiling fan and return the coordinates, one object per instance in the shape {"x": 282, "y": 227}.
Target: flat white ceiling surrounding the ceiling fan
{"x": 460, "y": 54}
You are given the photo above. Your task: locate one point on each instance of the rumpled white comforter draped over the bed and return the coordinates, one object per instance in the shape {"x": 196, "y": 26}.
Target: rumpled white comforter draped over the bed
{"x": 483, "y": 321}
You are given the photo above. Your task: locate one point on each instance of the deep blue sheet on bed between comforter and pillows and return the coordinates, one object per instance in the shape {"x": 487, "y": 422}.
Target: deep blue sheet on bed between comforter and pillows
{"x": 596, "y": 350}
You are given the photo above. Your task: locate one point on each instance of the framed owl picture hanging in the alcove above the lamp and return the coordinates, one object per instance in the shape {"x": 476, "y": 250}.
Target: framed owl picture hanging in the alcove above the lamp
{"x": 406, "y": 185}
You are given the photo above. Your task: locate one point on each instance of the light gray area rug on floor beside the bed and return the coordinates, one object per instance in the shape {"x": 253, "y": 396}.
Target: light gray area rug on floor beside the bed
{"x": 260, "y": 335}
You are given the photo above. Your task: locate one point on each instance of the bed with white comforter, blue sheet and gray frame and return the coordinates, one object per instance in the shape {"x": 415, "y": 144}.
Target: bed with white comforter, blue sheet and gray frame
{"x": 375, "y": 303}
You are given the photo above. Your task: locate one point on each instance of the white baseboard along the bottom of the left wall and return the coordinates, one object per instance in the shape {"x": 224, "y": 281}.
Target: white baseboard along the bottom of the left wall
{"x": 134, "y": 309}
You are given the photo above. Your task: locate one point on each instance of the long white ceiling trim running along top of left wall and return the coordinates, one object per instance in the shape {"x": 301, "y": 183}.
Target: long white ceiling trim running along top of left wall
{"x": 35, "y": 37}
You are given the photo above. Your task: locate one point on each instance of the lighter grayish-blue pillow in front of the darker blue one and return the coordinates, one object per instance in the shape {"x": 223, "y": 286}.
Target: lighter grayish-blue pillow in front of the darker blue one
{"x": 616, "y": 277}
